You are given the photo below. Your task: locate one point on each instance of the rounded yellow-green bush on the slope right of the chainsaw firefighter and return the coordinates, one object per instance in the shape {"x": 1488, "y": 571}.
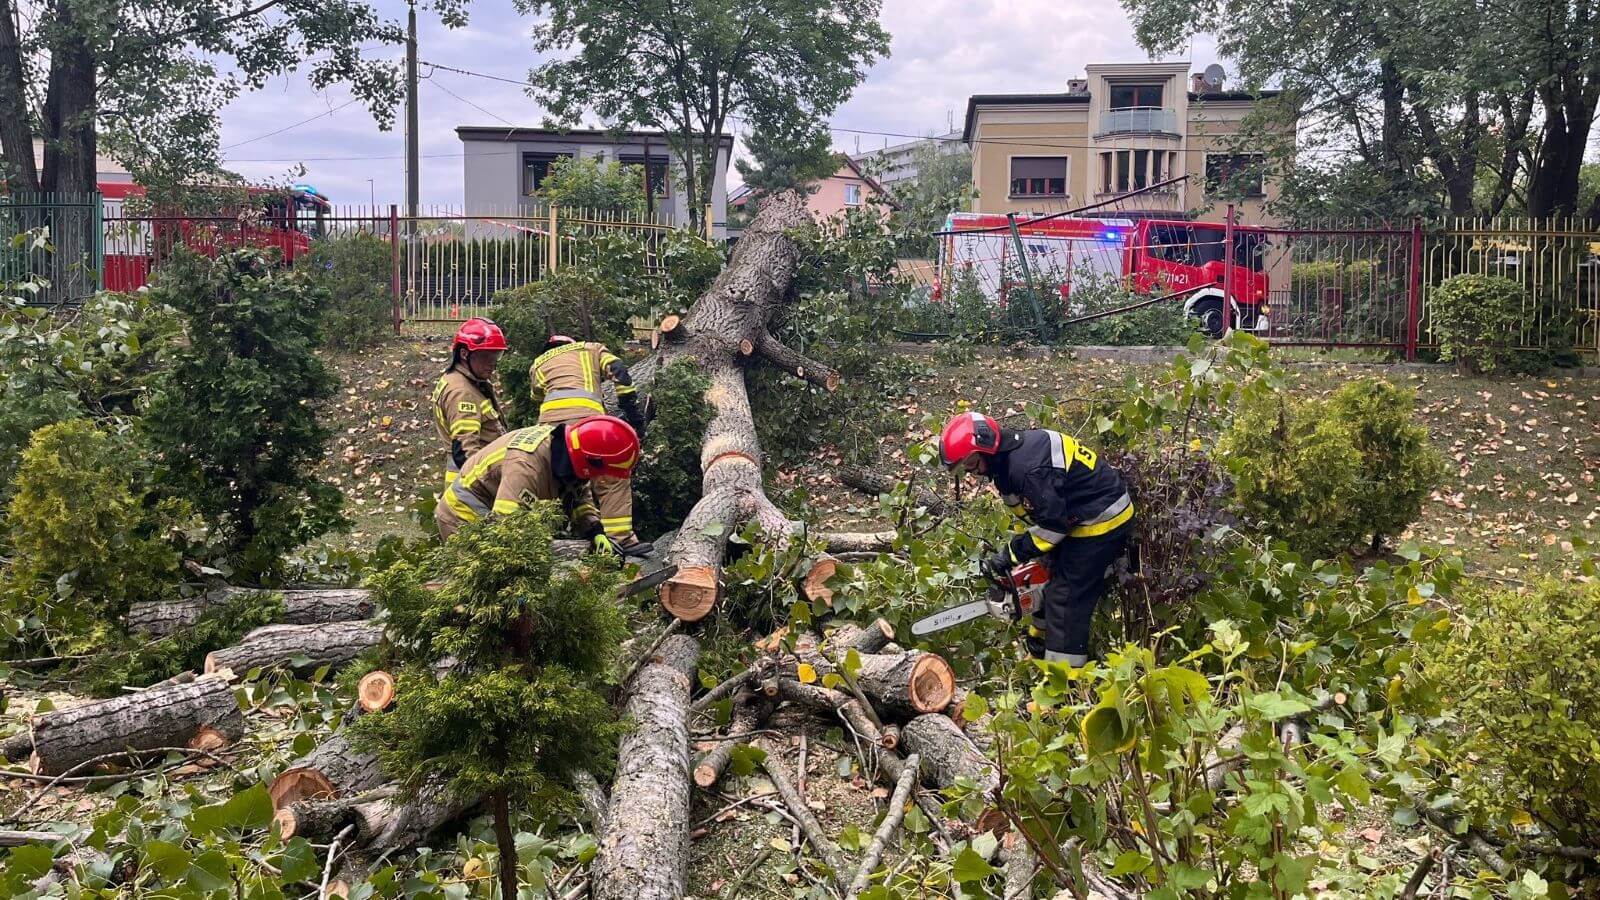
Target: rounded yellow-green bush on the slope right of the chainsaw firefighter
{"x": 1332, "y": 475}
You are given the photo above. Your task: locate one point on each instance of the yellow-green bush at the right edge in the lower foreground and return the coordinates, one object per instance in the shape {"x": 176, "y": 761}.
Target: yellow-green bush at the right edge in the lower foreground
{"x": 1516, "y": 683}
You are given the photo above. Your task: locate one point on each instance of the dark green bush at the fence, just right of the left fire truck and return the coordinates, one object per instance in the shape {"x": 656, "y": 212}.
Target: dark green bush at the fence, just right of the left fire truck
{"x": 354, "y": 271}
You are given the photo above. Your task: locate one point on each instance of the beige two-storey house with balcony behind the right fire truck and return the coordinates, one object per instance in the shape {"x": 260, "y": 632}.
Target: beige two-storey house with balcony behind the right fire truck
{"x": 1126, "y": 127}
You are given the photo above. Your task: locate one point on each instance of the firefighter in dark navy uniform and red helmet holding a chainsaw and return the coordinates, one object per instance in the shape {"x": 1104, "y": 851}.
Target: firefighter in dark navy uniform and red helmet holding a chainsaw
{"x": 1076, "y": 512}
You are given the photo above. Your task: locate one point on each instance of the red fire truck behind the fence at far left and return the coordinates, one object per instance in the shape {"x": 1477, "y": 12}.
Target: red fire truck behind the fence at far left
{"x": 134, "y": 241}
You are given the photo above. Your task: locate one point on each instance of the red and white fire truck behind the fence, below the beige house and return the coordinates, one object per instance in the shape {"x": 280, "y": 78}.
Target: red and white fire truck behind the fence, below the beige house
{"x": 1151, "y": 257}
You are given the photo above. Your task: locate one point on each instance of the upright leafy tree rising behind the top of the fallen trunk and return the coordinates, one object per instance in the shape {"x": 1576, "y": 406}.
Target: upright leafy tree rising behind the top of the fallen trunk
{"x": 687, "y": 68}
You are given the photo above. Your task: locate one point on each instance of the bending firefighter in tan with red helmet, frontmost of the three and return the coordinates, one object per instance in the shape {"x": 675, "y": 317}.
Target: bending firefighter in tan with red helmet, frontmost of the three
{"x": 545, "y": 462}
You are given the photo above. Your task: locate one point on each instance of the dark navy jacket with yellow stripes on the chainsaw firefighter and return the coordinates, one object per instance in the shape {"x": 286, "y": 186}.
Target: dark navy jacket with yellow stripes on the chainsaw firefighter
{"x": 1058, "y": 489}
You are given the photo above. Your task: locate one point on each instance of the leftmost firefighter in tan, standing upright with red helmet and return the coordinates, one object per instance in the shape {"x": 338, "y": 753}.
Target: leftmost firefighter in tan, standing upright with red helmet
{"x": 465, "y": 409}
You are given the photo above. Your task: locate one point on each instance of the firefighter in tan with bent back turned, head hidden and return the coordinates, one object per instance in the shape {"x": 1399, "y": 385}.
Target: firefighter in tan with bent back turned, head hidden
{"x": 567, "y": 384}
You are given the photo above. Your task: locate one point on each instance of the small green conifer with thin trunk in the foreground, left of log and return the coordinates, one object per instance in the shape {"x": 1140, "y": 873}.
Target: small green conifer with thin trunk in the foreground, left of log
{"x": 530, "y": 645}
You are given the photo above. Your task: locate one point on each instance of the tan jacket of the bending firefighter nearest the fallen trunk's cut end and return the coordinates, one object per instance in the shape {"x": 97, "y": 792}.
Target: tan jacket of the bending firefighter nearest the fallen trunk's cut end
{"x": 514, "y": 472}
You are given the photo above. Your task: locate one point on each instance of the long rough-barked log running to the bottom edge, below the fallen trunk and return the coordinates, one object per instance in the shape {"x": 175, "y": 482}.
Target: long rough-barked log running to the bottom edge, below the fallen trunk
{"x": 644, "y": 853}
